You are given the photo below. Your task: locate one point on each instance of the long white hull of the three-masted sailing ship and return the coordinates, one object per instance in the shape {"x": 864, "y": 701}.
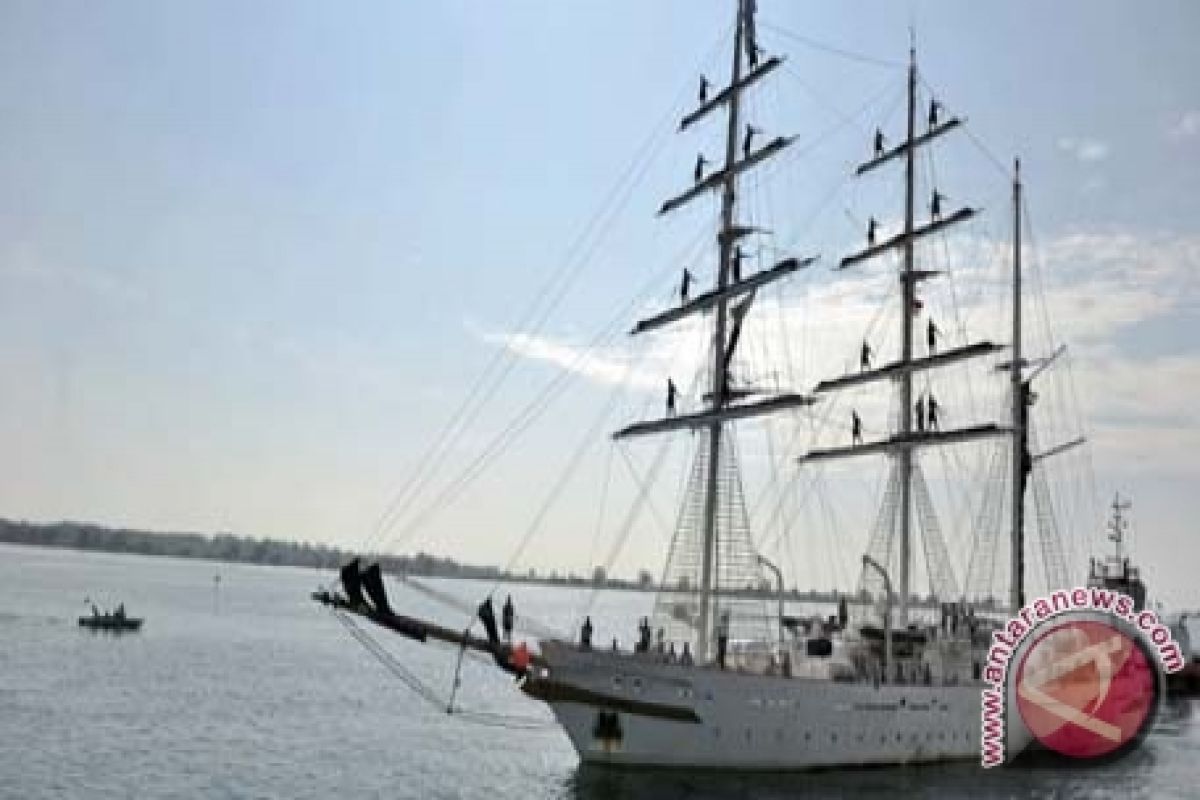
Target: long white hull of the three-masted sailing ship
{"x": 751, "y": 723}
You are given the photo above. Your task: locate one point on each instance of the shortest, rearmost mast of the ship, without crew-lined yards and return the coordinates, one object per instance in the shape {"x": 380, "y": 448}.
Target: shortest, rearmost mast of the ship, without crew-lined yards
{"x": 1017, "y": 587}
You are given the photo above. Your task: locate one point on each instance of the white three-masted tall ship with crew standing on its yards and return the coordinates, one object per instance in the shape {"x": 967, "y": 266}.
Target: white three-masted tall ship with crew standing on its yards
{"x": 722, "y": 677}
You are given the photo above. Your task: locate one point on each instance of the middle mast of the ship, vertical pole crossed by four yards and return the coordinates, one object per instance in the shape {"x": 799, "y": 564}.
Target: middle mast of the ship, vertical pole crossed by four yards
{"x": 908, "y": 298}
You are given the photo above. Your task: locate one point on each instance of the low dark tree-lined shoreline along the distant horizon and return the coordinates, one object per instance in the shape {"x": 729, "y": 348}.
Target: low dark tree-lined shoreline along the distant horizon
{"x": 247, "y": 550}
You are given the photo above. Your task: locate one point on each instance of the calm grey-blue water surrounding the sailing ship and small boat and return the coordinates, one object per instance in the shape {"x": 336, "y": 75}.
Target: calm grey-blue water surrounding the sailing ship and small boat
{"x": 253, "y": 691}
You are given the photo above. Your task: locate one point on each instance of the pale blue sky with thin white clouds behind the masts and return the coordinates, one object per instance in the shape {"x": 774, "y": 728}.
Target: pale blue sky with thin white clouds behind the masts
{"x": 255, "y": 256}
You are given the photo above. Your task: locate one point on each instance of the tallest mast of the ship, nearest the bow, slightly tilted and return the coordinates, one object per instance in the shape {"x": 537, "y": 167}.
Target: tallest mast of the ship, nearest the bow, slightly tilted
{"x": 721, "y": 369}
